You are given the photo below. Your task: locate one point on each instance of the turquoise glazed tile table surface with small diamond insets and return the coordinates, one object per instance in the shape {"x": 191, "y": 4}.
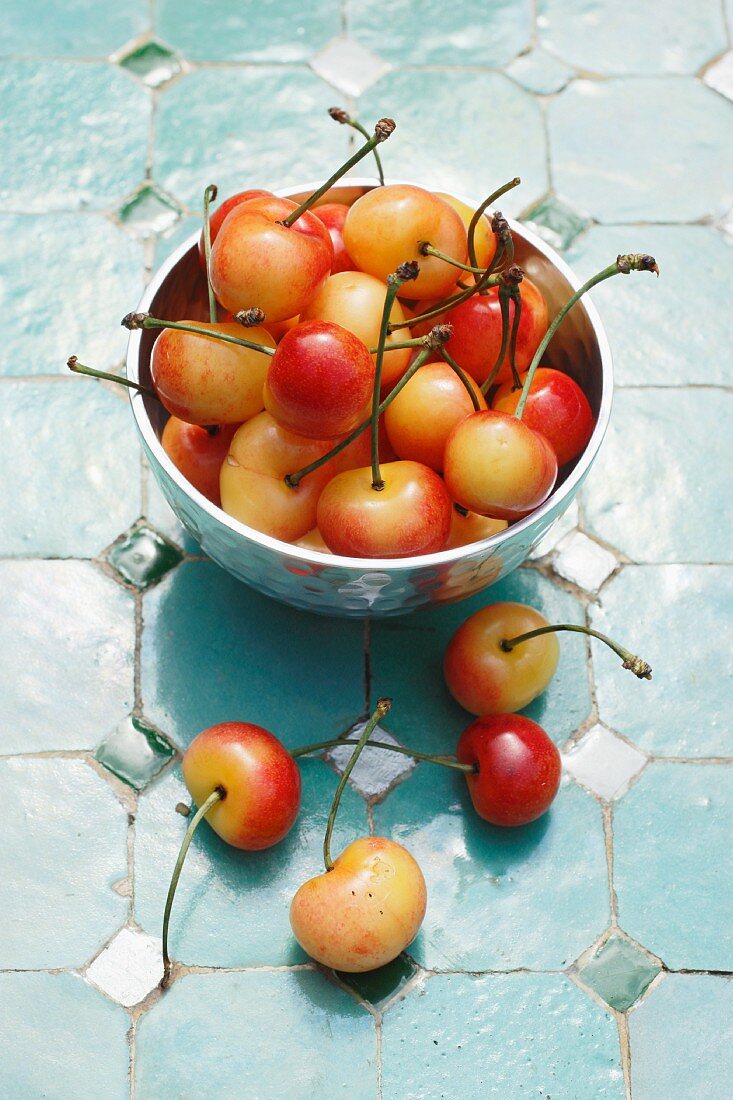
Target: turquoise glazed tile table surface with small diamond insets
{"x": 587, "y": 956}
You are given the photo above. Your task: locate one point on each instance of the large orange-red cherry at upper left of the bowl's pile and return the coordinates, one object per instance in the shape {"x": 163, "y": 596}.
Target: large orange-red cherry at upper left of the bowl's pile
{"x": 258, "y": 261}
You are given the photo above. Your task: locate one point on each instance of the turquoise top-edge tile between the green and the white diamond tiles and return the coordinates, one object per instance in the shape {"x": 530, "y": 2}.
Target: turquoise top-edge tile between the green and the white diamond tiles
{"x": 227, "y": 30}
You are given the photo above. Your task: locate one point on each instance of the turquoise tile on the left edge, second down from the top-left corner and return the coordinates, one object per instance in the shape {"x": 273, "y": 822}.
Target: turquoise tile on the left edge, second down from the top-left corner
{"x": 87, "y": 157}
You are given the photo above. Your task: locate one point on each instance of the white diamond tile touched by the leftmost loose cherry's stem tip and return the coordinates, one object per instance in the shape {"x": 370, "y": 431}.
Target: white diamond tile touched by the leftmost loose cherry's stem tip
{"x": 129, "y": 969}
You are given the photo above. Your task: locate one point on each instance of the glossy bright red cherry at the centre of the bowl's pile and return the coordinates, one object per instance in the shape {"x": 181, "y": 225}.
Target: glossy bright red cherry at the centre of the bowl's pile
{"x": 321, "y": 381}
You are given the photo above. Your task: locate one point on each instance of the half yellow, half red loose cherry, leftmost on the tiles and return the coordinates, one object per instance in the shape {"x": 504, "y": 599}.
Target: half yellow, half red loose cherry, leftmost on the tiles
{"x": 260, "y": 780}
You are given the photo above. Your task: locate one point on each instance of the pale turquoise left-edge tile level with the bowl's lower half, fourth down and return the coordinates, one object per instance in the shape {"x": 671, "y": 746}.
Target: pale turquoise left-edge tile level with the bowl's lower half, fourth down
{"x": 75, "y": 443}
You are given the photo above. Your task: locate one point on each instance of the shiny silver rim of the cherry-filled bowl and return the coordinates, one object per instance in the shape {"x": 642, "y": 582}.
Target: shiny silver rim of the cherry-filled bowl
{"x": 305, "y": 555}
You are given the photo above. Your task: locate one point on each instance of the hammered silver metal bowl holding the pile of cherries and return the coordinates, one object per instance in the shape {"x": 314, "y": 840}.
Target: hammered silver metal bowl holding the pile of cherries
{"x": 353, "y": 587}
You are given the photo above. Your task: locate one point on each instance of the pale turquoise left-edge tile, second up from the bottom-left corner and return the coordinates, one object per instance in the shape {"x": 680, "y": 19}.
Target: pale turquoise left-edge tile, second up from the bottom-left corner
{"x": 64, "y": 846}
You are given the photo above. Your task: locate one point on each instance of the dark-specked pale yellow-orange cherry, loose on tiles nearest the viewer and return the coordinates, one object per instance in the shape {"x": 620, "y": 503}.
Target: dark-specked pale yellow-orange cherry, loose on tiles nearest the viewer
{"x": 365, "y": 911}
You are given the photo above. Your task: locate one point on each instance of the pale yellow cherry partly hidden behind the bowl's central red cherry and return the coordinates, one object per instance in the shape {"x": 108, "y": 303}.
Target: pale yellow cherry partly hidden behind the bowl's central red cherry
{"x": 356, "y": 302}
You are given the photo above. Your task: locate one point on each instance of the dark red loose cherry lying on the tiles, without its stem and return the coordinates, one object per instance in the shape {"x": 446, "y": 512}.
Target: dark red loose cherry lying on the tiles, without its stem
{"x": 519, "y": 768}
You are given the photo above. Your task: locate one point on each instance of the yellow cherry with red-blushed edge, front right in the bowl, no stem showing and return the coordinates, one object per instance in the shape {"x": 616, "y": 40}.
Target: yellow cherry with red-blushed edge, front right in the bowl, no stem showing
{"x": 498, "y": 466}
